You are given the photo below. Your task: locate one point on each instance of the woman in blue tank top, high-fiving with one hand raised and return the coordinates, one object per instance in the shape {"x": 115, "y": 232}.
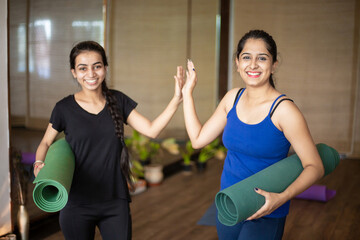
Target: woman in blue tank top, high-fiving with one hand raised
{"x": 255, "y": 135}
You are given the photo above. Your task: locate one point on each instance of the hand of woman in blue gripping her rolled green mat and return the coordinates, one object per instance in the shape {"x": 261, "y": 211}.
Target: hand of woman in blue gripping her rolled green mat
{"x": 272, "y": 202}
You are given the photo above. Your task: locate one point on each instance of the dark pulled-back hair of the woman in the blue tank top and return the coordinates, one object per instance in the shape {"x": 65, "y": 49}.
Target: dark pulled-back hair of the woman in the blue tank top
{"x": 270, "y": 46}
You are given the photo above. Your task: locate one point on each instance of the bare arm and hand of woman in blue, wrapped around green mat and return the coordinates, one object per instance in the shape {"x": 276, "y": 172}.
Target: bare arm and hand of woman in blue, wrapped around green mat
{"x": 295, "y": 128}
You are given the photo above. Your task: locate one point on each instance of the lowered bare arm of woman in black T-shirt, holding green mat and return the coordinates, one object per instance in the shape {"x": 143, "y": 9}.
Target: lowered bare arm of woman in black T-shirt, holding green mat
{"x": 43, "y": 147}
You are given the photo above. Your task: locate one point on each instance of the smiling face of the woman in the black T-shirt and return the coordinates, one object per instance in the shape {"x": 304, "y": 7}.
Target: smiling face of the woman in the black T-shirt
{"x": 89, "y": 70}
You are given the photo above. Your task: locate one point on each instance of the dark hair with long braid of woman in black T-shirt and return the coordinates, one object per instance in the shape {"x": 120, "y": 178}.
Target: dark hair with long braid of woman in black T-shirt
{"x": 111, "y": 101}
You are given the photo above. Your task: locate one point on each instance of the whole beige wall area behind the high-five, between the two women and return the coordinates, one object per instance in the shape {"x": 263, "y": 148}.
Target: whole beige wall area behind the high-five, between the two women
{"x": 148, "y": 39}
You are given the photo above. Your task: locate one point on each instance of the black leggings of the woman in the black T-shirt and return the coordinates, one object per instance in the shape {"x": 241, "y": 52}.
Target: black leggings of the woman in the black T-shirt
{"x": 113, "y": 219}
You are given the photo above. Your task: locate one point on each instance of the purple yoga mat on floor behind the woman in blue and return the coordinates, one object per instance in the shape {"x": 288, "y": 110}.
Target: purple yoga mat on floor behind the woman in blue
{"x": 318, "y": 193}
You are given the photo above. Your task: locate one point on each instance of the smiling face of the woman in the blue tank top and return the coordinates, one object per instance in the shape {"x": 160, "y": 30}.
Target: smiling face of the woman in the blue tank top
{"x": 255, "y": 63}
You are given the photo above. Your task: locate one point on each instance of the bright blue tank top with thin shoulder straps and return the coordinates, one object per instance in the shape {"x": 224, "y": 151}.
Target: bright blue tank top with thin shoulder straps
{"x": 251, "y": 148}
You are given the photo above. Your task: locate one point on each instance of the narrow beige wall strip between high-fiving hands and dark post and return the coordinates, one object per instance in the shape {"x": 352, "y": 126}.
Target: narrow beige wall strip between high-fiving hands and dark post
{"x": 203, "y": 53}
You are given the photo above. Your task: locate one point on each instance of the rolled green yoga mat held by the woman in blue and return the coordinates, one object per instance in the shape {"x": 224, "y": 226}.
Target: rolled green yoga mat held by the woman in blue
{"x": 239, "y": 201}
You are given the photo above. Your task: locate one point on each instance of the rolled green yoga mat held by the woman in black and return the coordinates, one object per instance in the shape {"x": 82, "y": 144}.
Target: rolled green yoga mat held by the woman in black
{"x": 54, "y": 180}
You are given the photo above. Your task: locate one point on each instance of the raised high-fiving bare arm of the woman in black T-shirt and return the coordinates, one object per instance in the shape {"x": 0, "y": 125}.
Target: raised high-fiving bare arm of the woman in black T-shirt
{"x": 153, "y": 128}
